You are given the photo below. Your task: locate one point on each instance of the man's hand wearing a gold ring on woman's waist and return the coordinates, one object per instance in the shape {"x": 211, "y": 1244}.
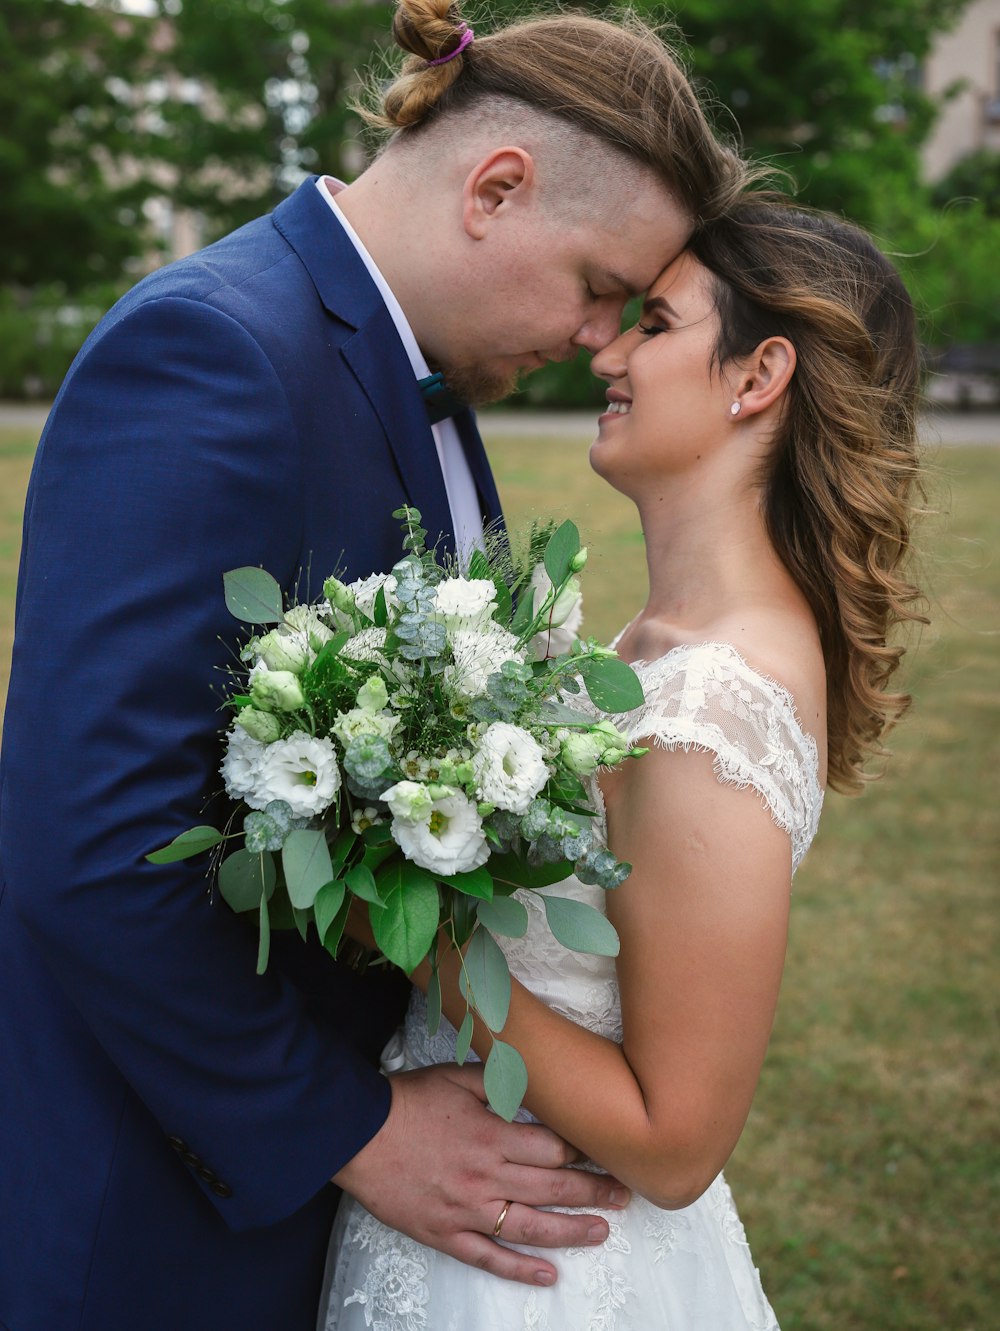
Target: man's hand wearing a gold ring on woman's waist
{"x": 443, "y": 1168}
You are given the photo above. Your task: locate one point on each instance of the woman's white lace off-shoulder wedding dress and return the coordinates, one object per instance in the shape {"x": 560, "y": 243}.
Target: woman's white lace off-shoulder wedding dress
{"x": 686, "y": 1270}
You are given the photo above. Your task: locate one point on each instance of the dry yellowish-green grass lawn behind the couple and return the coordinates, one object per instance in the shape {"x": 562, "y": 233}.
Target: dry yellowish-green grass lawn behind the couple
{"x": 869, "y": 1176}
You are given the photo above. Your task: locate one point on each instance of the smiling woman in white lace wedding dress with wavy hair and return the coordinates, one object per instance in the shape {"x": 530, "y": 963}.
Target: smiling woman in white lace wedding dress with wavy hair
{"x": 761, "y": 416}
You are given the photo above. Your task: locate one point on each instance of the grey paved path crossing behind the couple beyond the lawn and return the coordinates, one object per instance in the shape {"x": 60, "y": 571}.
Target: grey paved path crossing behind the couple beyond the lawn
{"x": 938, "y": 428}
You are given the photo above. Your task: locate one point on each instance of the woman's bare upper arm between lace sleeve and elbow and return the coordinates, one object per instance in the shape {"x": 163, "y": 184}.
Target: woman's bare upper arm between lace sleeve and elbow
{"x": 704, "y": 923}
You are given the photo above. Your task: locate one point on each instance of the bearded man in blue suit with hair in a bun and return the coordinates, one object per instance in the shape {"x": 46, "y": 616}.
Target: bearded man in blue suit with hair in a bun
{"x": 170, "y": 1123}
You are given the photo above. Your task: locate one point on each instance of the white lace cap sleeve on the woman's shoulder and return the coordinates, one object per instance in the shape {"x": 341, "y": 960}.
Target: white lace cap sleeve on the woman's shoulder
{"x": 708, "y": 698}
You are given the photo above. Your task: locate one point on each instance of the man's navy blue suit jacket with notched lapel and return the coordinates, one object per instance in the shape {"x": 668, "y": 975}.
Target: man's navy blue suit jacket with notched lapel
{"x": 168, "y": 1121}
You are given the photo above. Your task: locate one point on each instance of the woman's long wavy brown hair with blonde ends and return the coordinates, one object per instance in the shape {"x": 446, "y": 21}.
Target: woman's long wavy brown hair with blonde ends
{"x": 844, "y": 473}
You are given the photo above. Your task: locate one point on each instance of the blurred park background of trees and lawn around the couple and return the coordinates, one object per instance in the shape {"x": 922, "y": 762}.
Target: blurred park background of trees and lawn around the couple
{"x": 131, "y": 134}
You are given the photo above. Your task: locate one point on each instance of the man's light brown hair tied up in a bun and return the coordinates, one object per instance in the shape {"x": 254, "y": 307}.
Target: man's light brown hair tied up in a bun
{"x": 619, "y": 85}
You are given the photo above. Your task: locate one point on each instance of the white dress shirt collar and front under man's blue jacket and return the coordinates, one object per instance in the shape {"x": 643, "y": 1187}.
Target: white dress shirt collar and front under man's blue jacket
{"x": 463, "y": 498}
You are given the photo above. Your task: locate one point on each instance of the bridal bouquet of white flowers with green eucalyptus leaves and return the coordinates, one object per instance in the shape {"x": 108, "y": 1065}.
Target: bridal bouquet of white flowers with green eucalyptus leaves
{"x": 408, "y": 746}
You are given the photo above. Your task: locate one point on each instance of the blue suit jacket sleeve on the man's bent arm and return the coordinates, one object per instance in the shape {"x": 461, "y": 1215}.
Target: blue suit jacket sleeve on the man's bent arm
{"x": 171, "y": 459}
